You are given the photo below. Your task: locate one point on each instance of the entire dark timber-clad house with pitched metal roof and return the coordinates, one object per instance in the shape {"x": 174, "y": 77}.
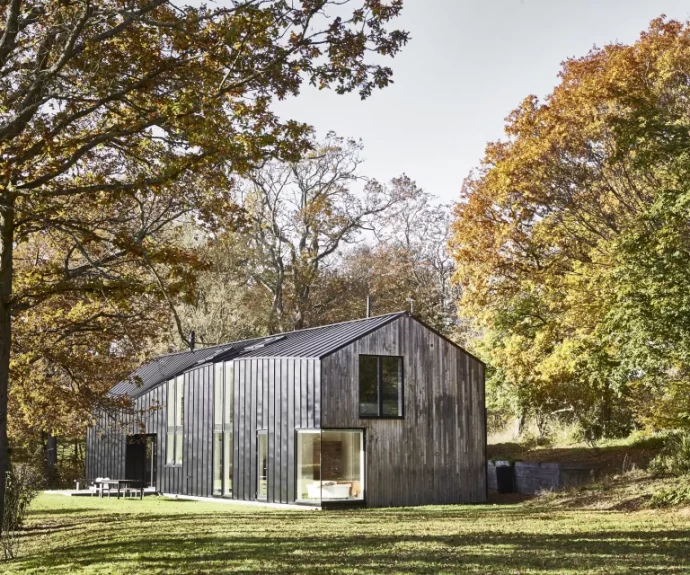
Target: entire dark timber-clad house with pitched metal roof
{"x": 381, "y": 411}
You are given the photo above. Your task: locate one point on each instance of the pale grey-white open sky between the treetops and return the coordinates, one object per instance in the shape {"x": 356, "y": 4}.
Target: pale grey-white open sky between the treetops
{"x": 468, "y": 64}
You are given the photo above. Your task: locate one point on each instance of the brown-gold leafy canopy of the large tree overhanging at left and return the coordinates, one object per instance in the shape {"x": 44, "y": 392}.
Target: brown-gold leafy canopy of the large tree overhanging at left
{"x": 118, "y": 118}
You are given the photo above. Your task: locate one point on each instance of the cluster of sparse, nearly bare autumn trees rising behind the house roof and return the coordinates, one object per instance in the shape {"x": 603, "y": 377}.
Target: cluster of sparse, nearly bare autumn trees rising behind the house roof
{"x": 318, "y": 237}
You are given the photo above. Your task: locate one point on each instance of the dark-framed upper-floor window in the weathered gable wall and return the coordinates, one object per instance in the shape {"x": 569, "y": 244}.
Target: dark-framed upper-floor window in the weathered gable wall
{"x": 380, "y": 386}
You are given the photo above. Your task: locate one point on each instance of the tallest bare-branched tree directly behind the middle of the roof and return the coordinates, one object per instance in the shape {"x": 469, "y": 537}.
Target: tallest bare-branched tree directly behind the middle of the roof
{"x": 301, "y": 213}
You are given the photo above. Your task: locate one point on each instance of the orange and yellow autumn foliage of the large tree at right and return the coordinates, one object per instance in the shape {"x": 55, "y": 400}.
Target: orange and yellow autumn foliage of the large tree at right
{"x": 537, "y": 232}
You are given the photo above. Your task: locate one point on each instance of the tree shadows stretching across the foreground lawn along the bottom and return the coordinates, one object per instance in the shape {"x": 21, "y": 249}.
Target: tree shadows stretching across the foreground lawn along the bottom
{"x": 274, "y": 548}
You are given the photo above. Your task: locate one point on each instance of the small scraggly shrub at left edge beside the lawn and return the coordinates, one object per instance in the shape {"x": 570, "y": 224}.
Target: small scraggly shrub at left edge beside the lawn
{"x": 22, "y": 485}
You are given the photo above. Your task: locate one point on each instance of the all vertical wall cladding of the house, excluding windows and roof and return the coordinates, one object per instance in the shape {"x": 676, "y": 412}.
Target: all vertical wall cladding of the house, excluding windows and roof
{"x": 435, "y": 454}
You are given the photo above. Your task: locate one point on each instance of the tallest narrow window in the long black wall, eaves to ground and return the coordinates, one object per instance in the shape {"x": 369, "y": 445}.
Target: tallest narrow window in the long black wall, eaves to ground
{"x": 222, "y": 429}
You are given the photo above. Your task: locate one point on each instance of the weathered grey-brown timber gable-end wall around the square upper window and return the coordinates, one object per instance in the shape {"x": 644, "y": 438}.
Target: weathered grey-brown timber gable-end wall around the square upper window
{"x": 437, "y": 452}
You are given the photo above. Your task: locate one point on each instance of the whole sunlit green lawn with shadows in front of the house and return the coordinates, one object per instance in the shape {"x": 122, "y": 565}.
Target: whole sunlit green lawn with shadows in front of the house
{"x": 85, "y": 535}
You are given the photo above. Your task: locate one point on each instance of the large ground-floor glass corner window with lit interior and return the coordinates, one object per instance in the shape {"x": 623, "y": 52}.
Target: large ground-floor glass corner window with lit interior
{"x": 330, "y": 465}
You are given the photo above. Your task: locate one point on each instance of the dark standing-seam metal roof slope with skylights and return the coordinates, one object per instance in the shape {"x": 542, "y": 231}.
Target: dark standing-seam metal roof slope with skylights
{"x": 315, "y": 342}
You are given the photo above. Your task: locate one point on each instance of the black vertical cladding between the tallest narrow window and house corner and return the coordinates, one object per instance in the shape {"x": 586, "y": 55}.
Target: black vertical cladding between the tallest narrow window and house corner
{"x": 277, "y": 395}
